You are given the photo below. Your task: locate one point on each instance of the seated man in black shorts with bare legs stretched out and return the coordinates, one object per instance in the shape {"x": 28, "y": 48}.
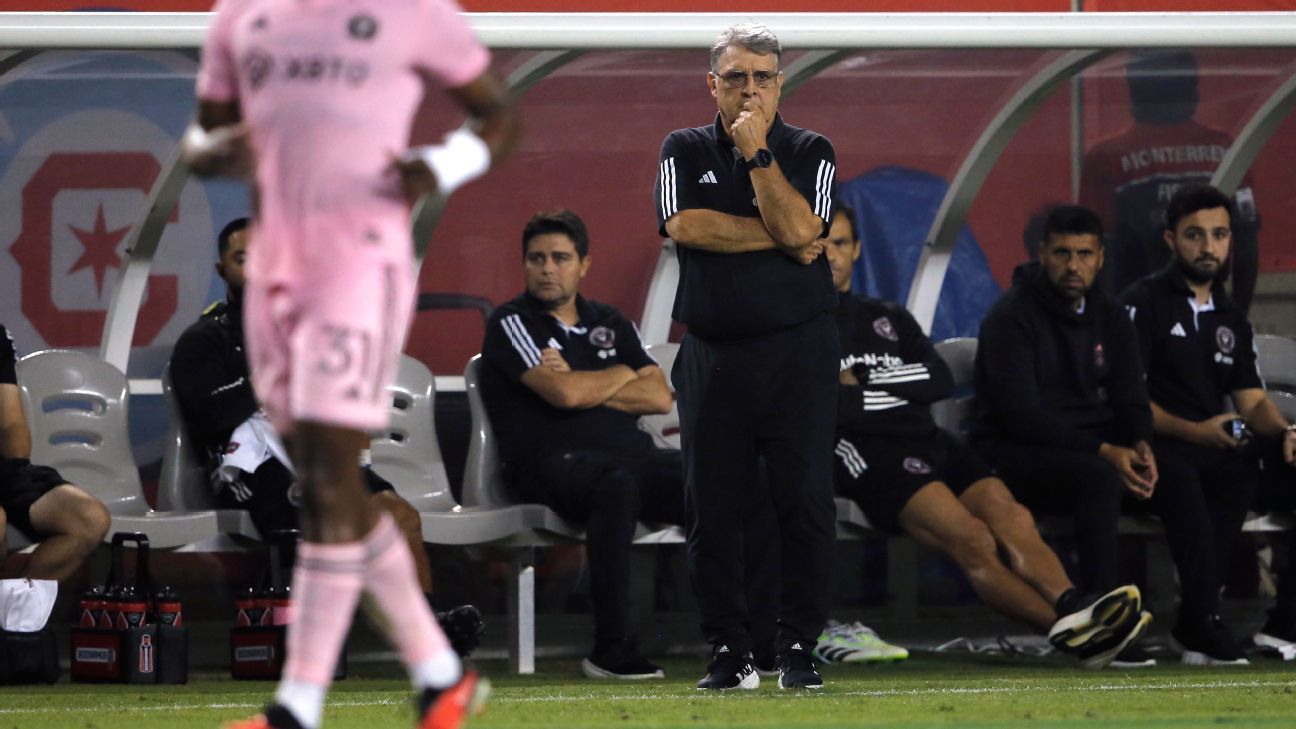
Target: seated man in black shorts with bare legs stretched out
{"x": 912, "y": 477}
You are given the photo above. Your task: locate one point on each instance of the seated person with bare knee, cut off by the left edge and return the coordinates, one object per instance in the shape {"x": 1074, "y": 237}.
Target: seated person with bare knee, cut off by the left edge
{"x": 65, "y": 521}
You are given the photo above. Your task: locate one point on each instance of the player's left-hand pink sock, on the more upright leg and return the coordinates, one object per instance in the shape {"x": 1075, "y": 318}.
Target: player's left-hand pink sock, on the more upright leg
{"x": 327, "y": 584}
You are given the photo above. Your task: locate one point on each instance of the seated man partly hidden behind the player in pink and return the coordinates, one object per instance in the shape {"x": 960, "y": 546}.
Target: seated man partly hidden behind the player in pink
{"x": 251, "y": 469}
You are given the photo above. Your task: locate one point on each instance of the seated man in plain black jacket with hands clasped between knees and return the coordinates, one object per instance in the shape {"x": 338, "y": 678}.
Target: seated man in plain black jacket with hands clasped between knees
{"x": 1062, "y": 411}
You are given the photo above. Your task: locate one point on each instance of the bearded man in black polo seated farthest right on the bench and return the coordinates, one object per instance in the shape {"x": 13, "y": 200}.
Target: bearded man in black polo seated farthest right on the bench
{"x": 1199, "y": 350}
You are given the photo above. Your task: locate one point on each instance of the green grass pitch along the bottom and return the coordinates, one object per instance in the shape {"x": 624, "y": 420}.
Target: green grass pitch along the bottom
{"x": 929, "y": 691}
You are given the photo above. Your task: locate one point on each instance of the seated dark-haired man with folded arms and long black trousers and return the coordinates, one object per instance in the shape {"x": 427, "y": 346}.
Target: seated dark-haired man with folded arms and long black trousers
{"x": 564, "y": 381}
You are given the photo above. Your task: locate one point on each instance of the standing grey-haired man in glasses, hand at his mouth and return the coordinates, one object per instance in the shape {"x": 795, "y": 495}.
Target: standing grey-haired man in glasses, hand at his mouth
{"x": 747, "y": 202}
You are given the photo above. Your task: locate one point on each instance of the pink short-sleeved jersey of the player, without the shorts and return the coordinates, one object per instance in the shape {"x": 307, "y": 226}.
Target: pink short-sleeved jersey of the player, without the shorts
{"x": 329, "y": 90}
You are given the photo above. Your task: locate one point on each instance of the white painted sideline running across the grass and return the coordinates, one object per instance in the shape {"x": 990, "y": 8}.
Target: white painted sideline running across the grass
{"x": 675, "y": 696}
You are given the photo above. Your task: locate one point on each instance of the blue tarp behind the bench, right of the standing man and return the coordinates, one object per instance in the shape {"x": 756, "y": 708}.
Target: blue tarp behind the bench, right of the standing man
{"x": 895, "y": 209}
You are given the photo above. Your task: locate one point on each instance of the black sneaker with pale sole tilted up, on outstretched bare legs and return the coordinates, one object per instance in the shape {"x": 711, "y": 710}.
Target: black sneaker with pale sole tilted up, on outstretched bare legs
{"x": 1097, "y": 630}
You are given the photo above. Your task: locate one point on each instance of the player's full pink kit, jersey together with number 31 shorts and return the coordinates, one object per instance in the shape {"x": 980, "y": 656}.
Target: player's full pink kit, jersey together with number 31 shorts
{"x": 329, "y": 90}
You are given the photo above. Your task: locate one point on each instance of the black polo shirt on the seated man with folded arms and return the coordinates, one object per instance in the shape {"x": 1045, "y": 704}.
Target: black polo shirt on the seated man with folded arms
{"x": 527, "y": 426}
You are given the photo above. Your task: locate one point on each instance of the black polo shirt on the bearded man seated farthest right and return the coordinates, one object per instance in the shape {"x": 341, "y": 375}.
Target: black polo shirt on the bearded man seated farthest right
{"x": 1194, "y": 359}
